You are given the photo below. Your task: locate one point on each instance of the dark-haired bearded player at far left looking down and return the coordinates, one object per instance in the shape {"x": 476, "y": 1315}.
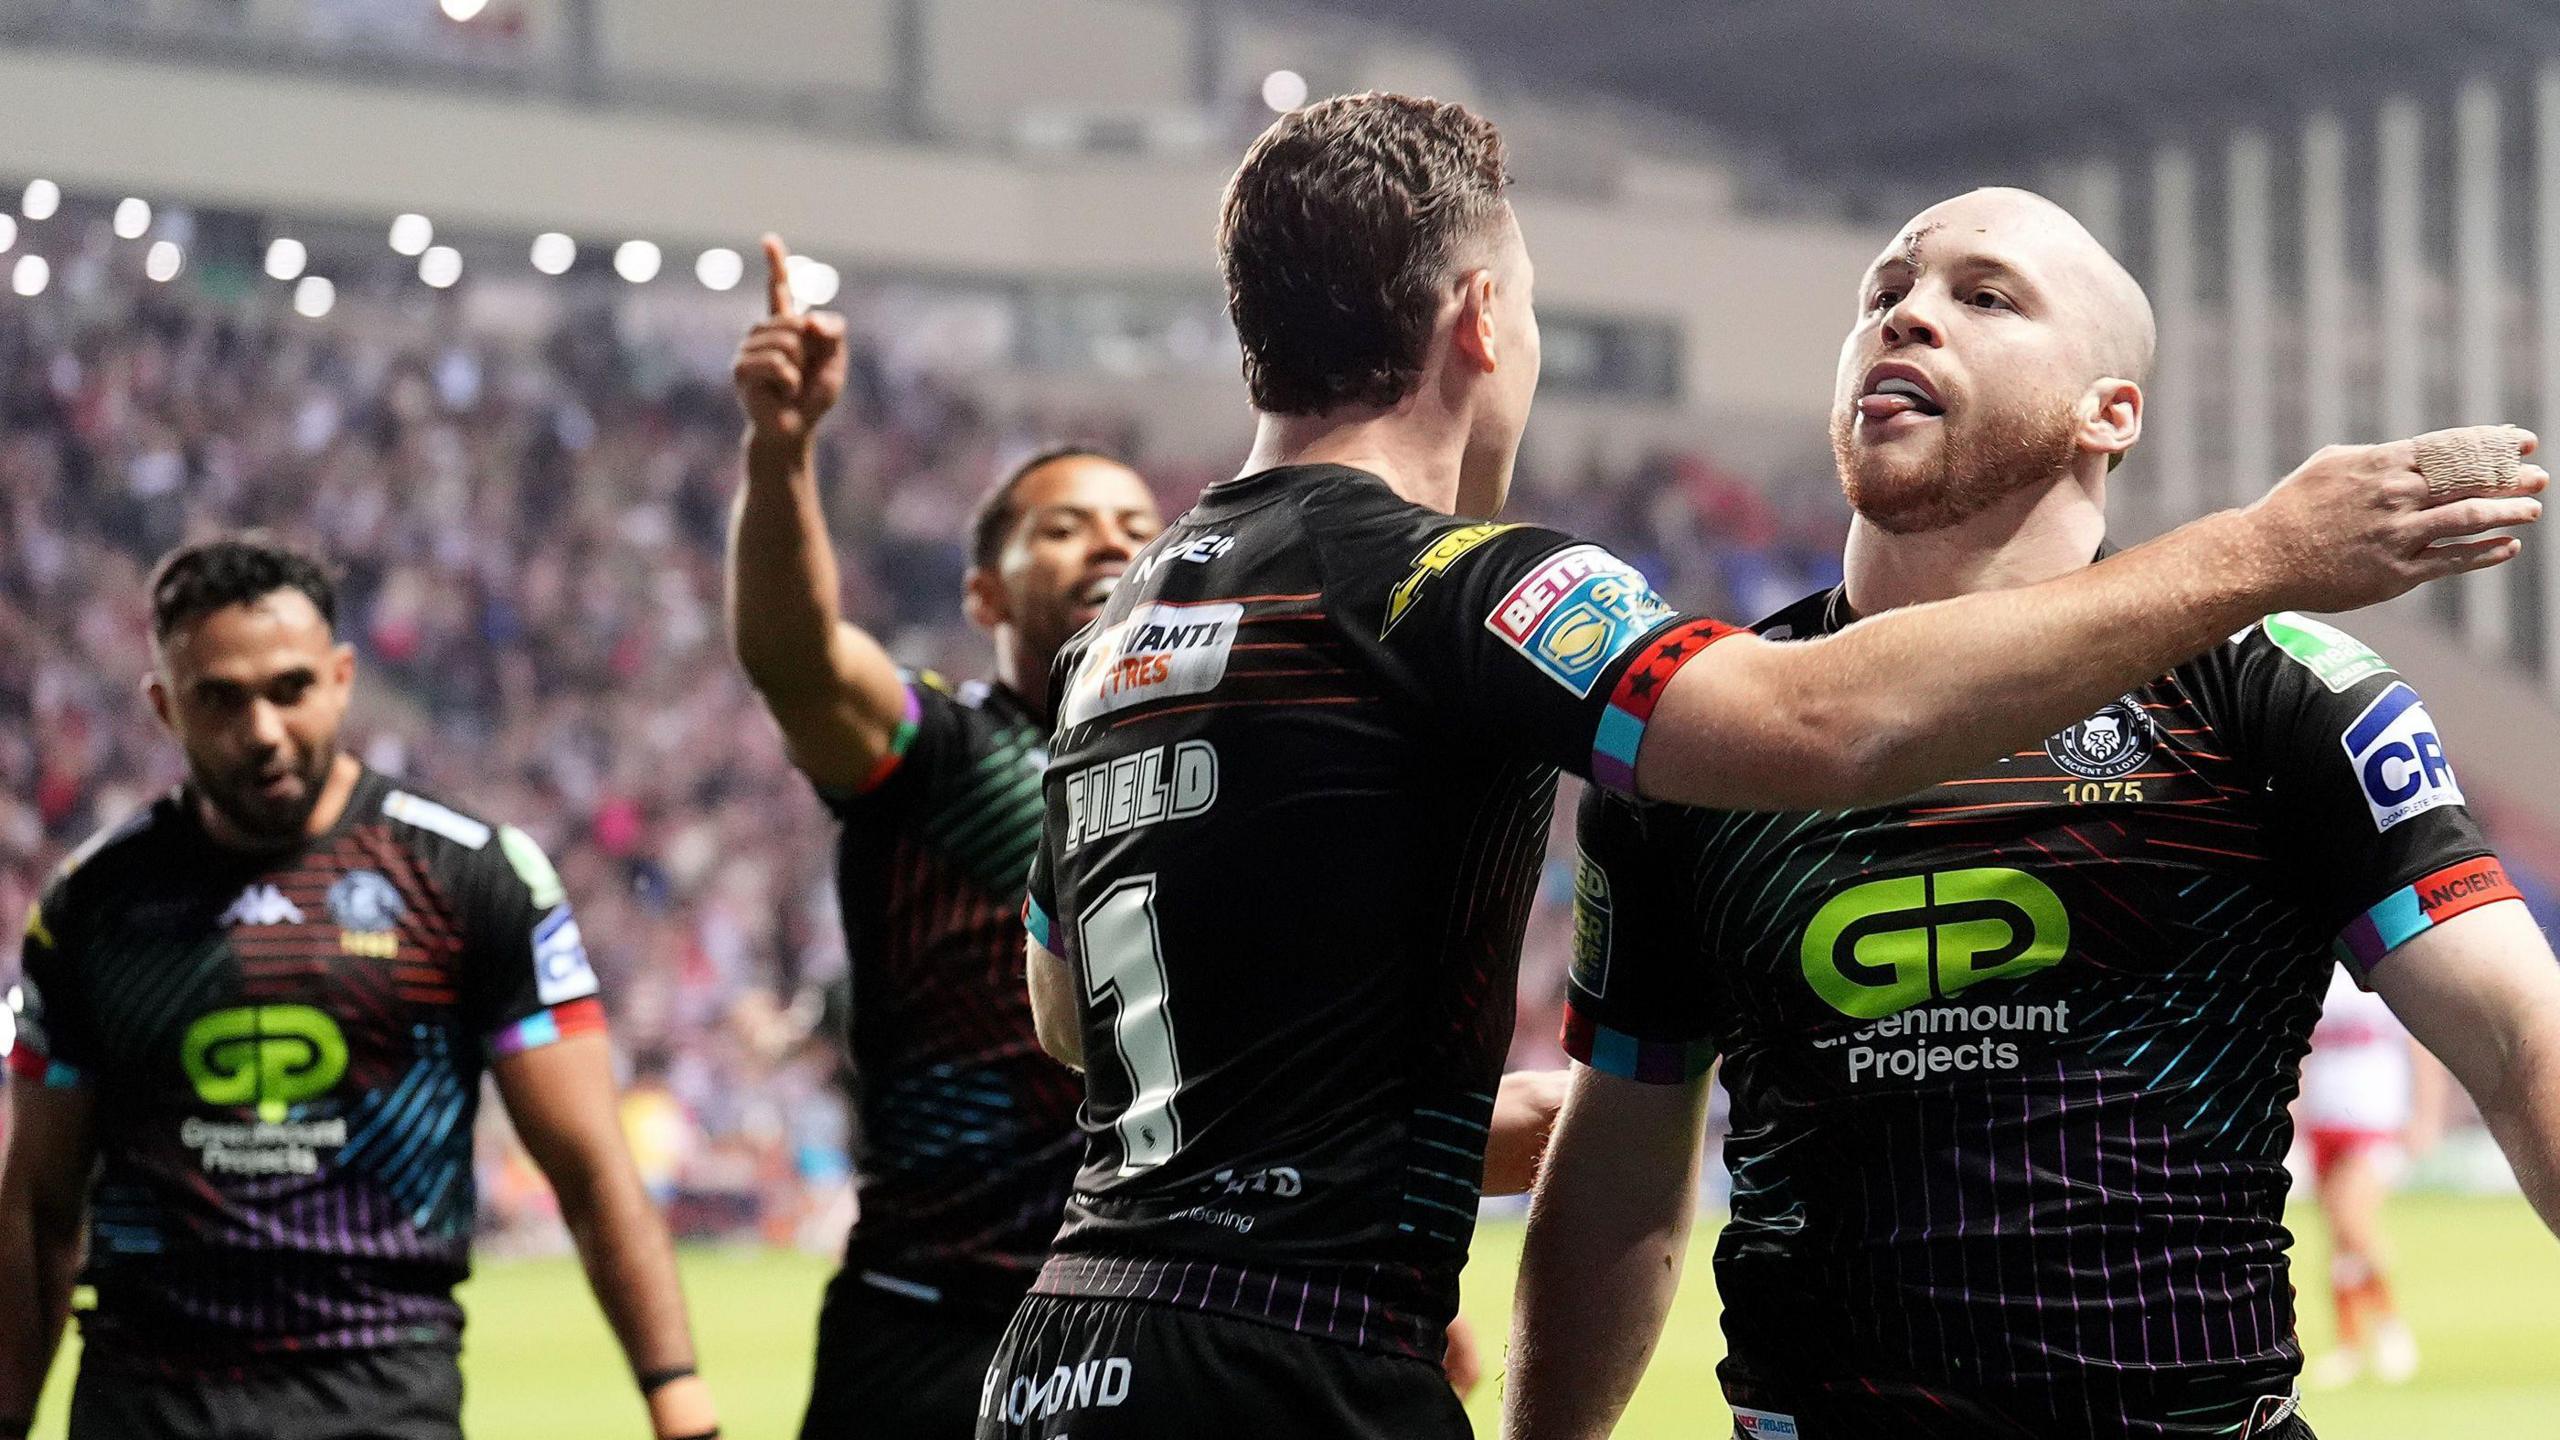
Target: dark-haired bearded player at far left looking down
{"x": 250, "y": 1054}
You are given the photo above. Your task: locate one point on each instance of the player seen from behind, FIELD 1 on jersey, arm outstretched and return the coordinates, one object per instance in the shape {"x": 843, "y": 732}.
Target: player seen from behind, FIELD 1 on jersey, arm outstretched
{"x": 1304, "y": 767}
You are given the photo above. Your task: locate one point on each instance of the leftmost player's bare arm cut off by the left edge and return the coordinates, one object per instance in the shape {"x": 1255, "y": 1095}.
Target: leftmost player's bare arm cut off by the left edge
{"x": 45, "y": 1203}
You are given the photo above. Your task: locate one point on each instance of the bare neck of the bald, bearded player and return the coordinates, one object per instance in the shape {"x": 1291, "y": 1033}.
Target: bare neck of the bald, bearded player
{"x": 2034, "y": 537}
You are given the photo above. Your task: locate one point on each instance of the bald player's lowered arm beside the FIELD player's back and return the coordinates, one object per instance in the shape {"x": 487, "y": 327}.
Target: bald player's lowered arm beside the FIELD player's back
{"x": 1606, "y": 1239}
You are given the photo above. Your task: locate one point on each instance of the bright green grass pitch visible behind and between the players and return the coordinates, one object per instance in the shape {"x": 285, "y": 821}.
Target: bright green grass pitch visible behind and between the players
{"x": 2479, "y": 1277}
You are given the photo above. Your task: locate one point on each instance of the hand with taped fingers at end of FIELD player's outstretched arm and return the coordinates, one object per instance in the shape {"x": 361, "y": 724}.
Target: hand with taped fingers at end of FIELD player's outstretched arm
{"x": 2359, "y": 524}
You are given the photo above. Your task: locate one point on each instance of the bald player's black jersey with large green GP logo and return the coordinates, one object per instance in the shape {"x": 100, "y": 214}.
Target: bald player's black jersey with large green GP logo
{"x": 2011, "y": 1060}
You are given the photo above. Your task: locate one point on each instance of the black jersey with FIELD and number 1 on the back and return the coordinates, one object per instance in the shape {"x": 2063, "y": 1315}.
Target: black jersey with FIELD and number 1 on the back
{"x": 1294, "y": 824}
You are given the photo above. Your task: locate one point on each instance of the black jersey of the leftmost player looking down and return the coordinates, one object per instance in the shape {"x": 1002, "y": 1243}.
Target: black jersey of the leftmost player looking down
{"x": 285, "y": 1054}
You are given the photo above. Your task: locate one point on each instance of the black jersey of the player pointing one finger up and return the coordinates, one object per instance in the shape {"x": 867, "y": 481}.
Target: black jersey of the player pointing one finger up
{"x": 966, "y": 1141}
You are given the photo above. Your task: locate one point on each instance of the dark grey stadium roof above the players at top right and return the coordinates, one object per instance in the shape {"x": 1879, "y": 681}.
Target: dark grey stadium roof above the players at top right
{"x": 1932, "y": 91}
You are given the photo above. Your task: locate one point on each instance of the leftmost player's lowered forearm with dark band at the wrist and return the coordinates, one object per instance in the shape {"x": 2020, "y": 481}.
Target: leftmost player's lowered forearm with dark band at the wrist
{"x": 562, "y": 1103}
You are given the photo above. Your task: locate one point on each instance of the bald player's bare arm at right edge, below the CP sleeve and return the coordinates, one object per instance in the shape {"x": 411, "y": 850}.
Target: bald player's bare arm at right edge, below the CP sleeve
{"x": 2484, "y": 993}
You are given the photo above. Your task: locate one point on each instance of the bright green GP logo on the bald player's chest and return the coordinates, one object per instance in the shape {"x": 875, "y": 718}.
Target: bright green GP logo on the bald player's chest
{"x": 1893, "y": 944}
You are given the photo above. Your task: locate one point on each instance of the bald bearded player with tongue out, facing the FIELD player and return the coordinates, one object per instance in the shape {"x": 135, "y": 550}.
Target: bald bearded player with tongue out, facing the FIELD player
{"x": 2011, "y": 1057}
